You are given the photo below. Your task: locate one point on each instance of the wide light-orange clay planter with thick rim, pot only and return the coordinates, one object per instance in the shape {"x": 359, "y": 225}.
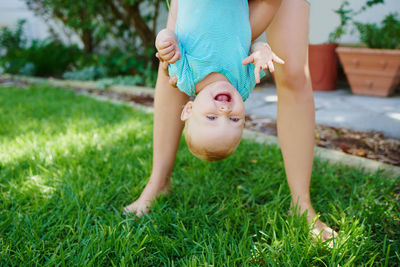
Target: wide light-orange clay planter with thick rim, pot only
{"x": 374, "y": 72}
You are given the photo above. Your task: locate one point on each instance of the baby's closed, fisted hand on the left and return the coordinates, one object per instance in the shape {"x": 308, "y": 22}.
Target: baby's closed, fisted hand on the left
{"x": 167, "y": 46}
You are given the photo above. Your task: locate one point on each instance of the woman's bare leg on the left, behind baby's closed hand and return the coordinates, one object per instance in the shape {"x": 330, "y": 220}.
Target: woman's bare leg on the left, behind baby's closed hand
{"x": 168, "y": 104}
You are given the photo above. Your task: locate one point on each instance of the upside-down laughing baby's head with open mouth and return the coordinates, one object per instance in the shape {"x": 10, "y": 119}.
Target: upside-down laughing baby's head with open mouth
{"x": 216, "y": 117}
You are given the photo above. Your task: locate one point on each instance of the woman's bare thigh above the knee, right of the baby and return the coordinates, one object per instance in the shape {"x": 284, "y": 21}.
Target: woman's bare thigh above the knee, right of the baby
{"x": 288, "y": 37}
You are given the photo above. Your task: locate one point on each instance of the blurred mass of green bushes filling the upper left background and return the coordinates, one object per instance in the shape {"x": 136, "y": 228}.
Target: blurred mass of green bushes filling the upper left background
{"x": 117, "y": 36}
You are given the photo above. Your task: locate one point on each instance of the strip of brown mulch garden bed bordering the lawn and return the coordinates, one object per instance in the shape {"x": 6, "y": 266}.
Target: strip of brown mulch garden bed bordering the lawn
{"x": 371, "y": 145}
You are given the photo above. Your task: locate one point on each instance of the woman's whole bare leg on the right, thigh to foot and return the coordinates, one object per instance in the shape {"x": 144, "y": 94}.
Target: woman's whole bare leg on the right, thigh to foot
{"x": 288, "y": 38}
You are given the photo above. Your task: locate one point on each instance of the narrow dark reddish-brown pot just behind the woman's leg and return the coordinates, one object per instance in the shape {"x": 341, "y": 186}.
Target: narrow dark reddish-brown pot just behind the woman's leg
{"x": 323, "y": 65}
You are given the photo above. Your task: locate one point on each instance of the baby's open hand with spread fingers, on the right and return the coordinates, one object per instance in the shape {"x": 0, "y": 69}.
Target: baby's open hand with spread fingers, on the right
{"x": 262, "y": 57}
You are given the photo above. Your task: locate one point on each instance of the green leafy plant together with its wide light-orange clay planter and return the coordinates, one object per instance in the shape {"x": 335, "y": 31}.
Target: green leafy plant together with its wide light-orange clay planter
{"x": 374, "y": 69}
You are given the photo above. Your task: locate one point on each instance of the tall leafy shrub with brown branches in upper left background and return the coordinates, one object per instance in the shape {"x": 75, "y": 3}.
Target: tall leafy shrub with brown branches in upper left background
{"x": 132, "y": 24}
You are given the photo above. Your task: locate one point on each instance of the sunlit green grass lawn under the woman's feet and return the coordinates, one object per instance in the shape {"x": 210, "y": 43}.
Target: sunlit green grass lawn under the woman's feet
{"x": 68, "y": 164}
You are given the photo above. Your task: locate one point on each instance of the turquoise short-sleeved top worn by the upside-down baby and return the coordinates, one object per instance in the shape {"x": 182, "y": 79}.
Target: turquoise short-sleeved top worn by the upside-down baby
{"x": 214, "y": 36}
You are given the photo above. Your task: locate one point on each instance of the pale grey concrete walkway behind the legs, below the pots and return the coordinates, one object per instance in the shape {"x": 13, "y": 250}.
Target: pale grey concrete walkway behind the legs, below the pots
{"x": 338, "y": 108}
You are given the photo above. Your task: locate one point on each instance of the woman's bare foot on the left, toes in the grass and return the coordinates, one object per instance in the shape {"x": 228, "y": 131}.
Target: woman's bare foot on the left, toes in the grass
{"x": 150, "y": 193}
